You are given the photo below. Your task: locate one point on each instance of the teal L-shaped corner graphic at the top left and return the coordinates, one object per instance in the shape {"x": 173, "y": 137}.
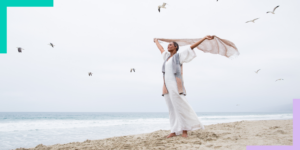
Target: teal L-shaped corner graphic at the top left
{"x": 3, "y": 16}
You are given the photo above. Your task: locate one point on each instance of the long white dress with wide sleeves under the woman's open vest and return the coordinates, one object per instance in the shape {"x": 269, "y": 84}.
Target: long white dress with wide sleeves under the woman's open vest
{"x": 182, "y": 116}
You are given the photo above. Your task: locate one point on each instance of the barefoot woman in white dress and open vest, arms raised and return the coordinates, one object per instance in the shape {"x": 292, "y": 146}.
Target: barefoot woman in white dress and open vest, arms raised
{"x": 182, "y": 117}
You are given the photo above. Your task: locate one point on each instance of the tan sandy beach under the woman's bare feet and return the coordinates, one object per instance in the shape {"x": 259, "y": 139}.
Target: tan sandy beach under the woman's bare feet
{"x": 224, "y": 136}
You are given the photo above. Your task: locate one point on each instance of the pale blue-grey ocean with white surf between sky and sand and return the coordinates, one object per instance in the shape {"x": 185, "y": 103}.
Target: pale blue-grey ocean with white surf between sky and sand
{"x": 28, "y": 129}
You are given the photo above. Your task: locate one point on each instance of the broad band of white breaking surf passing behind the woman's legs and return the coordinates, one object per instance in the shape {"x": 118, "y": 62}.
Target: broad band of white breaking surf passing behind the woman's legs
{"x": 23, "y": 125}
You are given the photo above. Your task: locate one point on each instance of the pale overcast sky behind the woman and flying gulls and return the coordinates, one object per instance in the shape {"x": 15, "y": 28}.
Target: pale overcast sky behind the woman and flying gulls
{"x": 110, "y": 37}
